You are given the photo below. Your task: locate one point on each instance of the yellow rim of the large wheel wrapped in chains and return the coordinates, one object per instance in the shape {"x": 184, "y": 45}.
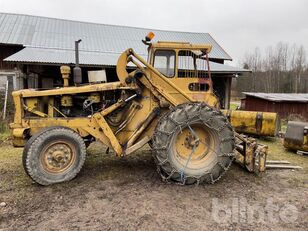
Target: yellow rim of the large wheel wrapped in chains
{"x": 194, "y": 146}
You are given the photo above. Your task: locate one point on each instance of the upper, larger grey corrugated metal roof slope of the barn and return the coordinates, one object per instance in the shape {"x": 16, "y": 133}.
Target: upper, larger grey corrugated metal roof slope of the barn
{"x": 42, "y": 32}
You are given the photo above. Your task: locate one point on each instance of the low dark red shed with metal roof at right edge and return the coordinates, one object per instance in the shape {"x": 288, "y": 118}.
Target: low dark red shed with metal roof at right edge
{"x": 285, "y": 104}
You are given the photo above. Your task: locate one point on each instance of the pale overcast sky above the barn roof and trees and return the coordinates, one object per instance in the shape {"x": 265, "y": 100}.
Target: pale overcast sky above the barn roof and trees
{"x": 237, "y": 25}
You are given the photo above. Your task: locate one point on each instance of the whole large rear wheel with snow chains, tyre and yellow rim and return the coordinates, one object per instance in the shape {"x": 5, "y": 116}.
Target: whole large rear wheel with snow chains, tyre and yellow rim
{"x": 176, "y": 140}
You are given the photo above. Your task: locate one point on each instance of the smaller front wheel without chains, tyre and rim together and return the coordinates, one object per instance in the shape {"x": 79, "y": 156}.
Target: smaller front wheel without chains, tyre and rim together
{"x": 54, "y": 155}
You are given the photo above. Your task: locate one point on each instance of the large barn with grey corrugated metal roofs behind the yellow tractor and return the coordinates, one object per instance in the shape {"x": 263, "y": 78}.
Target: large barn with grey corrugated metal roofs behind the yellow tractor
{"x": 34, "y": 47}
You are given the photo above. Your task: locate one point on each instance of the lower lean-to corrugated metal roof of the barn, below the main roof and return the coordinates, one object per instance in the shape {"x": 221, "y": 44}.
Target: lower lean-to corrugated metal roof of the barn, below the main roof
{"x": 56, "y": 56}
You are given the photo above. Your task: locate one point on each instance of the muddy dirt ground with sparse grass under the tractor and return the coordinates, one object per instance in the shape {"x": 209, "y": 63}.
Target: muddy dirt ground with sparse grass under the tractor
{"x": 128, "y": 194}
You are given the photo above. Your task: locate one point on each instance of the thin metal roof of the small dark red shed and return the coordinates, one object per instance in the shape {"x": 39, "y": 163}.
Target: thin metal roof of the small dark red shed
{"x": 280, "y": 97}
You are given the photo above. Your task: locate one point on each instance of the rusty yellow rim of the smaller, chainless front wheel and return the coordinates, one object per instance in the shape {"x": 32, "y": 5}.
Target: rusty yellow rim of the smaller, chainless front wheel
{"x": 58, "y": 156}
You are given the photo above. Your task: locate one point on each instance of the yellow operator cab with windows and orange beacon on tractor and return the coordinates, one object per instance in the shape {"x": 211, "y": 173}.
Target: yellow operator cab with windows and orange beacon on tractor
{"x": 182, "y": 62}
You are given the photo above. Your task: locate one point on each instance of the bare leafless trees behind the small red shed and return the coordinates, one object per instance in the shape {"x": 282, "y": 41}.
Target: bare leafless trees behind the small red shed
{"x": 279, "y": 68}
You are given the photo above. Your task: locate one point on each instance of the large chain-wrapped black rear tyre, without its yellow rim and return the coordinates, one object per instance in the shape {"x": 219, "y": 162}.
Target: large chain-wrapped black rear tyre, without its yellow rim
{"x": 189, "y": 113}
